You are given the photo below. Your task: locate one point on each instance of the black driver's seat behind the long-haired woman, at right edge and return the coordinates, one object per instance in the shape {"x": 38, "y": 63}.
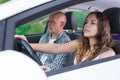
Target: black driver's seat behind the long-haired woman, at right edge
{"x": 113, "y": 15}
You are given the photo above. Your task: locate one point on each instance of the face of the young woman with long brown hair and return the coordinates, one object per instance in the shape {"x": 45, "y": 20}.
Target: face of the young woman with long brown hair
{"x": 90, "y": 27}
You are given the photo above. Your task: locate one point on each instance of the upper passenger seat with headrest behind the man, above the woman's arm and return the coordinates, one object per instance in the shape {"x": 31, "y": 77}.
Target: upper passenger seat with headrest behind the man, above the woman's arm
{"x": 71, "y": 26}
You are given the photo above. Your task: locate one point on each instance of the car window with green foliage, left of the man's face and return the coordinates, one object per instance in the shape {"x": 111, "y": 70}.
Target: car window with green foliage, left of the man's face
{"x": 34, "y": 27}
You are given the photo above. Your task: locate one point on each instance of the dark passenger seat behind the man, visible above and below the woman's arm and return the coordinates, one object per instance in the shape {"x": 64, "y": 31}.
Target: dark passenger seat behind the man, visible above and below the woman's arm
{"x": 71, "y": 30}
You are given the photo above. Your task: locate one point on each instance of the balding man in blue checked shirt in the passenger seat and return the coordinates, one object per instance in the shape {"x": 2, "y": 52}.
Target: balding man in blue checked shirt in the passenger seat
{"x": 55, "y": 34}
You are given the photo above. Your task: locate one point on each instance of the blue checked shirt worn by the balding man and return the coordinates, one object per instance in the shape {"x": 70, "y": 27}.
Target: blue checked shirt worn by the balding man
{"x": 54, "y": 61}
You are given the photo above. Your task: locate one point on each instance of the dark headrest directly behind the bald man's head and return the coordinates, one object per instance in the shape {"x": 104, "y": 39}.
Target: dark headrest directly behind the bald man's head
{"x": 70, "y": 21}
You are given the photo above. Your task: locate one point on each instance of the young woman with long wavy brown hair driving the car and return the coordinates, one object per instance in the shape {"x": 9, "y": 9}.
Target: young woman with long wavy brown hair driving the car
{"x": 95, "y": 43}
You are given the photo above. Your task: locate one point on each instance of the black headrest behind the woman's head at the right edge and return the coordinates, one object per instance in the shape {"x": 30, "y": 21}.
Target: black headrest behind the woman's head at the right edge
{"x": 113, "y": 15}
